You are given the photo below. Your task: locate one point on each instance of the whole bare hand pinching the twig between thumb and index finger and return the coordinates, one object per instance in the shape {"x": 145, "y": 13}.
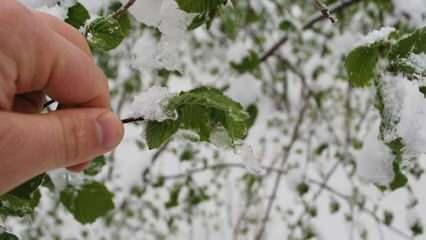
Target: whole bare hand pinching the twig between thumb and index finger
{"x": 42, "y": 56}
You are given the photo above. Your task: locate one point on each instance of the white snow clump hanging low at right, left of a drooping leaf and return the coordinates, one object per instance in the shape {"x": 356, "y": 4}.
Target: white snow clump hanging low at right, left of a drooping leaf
{"x": 374, "y": 162}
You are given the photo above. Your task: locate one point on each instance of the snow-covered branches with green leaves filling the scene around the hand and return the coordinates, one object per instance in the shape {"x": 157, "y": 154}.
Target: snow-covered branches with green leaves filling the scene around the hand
{"x": 258, "y": 119}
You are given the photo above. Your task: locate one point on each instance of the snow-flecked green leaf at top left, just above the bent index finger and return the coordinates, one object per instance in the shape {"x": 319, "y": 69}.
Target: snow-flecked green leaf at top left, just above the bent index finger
{"x": 105, "y": 33}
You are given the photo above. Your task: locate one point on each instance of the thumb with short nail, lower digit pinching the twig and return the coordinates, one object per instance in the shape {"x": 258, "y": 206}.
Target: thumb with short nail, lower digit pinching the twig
{"x": 33, "y": 144}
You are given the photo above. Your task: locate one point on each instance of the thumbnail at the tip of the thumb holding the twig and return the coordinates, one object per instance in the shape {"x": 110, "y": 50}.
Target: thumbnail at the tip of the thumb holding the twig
{"x": 109, "y": 130}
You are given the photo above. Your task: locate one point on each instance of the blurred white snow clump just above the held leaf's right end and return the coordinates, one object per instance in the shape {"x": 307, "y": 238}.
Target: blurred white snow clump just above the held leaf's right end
{"x": 244, "y": 89}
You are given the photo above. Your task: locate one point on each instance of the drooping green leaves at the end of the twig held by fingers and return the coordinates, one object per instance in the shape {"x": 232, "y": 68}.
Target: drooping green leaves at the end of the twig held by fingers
{"x": 202, "y": 111}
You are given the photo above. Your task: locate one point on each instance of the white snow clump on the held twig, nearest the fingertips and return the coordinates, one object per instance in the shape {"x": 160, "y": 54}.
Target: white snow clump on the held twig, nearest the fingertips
{"x": 151, "y": 104}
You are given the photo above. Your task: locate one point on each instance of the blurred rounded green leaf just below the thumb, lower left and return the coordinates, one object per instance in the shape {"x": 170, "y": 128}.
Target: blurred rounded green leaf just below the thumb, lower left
{"x": 88, "y": 202}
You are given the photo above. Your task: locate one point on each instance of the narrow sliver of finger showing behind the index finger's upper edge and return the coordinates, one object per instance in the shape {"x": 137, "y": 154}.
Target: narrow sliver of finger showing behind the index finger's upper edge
{"x": 65, "y": 30}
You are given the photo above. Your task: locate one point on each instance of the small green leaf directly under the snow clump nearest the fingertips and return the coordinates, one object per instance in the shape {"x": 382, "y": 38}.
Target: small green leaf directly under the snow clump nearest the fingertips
{"x": 158, "y": 133}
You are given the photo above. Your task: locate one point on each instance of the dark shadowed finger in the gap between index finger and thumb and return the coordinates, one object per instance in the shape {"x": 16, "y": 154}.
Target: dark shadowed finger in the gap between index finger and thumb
{"x": 29, "y": 103}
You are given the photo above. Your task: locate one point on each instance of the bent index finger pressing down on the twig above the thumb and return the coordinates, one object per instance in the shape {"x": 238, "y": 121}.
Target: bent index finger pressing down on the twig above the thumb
{"x": 50, "y": 62}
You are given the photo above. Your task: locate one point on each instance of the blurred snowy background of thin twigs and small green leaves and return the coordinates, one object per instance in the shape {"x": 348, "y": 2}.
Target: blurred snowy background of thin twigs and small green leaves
{"x": 283, "y": 61}
